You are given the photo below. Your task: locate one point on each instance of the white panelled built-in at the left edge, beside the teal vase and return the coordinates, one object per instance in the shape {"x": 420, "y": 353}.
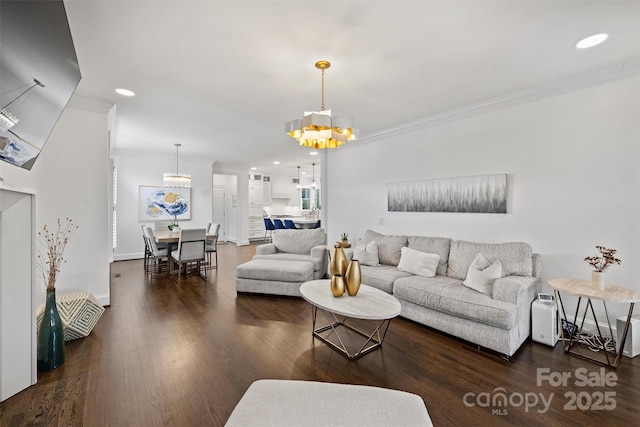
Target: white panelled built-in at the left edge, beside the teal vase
{"x": 18, "y": 351}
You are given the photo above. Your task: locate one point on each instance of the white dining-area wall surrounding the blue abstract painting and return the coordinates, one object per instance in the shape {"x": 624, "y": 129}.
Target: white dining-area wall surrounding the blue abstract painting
{"x": 135, "y": 169}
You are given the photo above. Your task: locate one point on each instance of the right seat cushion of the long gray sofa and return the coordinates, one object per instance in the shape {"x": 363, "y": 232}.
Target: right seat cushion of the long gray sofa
{"x": 449, "y": 295}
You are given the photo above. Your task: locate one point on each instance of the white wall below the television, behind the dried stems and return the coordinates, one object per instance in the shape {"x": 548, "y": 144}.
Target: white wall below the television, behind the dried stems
{"x": 71, "y": 179}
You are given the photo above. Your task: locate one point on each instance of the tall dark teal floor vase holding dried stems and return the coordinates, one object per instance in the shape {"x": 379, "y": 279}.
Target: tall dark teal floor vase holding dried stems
{"x": 50, "y": 332}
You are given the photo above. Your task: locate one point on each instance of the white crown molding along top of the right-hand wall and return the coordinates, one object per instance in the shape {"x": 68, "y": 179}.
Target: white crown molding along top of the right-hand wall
{"x": 599, "y": 76}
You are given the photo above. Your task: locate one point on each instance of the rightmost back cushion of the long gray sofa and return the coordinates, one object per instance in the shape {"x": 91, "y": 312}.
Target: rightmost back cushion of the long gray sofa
{"x": 516, "y": 257}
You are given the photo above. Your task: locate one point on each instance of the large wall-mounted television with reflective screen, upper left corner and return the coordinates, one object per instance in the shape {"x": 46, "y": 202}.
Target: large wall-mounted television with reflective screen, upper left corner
{"x": 39, "y": 72}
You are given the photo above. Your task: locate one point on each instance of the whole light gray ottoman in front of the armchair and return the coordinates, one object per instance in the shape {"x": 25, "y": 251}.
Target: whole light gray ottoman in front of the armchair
{"x": 273, "y": 277}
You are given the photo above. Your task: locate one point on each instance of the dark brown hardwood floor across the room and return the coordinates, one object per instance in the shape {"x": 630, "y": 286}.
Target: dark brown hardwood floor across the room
{"x": 184, "y": 355}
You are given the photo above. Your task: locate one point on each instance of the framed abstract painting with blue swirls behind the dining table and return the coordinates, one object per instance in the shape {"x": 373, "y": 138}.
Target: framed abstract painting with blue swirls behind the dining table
{"x": 164, "y": 203}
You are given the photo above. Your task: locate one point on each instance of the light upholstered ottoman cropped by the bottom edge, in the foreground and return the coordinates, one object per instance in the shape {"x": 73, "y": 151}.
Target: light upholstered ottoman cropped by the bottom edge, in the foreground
{"x": 307, "y": 403}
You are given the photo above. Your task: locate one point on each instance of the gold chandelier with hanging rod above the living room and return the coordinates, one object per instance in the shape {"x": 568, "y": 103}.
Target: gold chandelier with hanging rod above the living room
{"x": 318, "y": 129}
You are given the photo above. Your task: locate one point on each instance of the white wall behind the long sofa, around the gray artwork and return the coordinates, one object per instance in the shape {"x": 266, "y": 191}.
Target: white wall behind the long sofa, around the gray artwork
{"x": 573, "y": 165}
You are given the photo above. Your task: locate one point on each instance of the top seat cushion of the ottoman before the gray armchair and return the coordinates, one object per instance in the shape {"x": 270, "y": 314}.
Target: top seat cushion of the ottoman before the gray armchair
{"x": 268, "y": 270}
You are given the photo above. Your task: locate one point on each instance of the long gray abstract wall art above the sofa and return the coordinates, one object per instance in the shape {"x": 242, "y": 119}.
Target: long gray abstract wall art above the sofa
{"x": 473, "y": 194}
